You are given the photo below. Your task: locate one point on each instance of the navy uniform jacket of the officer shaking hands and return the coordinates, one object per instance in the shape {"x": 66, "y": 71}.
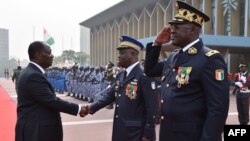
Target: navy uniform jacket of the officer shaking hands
{"x": 135, "y": 106}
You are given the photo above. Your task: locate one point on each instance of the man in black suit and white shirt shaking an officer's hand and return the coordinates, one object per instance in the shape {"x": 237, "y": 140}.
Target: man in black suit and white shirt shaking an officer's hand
{"x": 38, "y": 108}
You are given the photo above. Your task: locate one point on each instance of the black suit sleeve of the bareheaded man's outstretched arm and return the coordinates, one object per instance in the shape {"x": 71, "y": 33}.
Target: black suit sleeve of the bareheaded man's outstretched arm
{"x": 42, "y": 91}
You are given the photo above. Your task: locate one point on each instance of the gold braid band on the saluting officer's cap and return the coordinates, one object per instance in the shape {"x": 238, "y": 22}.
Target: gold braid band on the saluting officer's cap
{"x": 189, "y": 16}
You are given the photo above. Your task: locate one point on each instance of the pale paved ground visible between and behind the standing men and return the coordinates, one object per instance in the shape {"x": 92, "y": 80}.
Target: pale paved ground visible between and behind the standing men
{"x": 96, "y": 127}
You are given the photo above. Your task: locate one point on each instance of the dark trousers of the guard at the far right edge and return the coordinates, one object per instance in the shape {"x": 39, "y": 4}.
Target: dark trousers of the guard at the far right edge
{"x": 243, "y": 108}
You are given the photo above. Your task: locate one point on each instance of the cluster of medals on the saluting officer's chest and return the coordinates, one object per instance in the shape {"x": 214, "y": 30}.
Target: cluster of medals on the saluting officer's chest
{"x": 183, "y": 75}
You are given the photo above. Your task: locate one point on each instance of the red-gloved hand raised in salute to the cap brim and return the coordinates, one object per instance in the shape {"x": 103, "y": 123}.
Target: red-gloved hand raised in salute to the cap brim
{"x": 163, "y": 36}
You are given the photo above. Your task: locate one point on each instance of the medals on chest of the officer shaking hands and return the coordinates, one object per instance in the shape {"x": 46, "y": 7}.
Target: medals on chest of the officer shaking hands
{"x": 131, "y": 89}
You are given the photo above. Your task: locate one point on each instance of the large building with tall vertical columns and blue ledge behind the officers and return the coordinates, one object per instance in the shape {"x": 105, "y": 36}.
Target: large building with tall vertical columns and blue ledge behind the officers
{"x": 227, "y": 31}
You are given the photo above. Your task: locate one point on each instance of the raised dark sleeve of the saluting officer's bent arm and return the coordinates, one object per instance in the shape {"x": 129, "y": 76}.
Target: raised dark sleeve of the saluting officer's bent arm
{"x": 152, "y": 68}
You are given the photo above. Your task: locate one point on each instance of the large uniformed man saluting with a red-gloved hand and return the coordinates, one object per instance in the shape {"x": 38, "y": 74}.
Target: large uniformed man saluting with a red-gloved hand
{"x": 195, "y": 89}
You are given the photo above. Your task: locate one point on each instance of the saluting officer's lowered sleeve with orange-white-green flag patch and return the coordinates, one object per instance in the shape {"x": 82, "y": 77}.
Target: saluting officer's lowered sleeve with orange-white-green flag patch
{"x": 217, "y": 98}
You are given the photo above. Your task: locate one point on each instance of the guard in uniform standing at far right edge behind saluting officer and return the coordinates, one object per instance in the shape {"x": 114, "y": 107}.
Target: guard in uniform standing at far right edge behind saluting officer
{"x": 242, "y": 82}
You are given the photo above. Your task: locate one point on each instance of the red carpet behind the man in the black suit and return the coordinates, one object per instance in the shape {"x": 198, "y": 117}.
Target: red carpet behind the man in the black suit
{"x": 7, "y": 116}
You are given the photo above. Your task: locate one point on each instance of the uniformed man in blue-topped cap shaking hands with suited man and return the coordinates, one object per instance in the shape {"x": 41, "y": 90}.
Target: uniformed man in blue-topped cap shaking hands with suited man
{"x": 135, "y": 110}
